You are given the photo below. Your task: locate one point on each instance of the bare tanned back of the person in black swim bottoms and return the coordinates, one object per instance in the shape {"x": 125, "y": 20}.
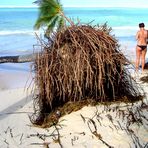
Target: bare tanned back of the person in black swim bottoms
{"x": 141, "y": 37}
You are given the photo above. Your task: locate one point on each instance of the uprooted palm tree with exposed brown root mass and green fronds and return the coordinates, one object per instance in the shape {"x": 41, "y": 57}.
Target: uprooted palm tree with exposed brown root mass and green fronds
{"x": 82, "y": 62}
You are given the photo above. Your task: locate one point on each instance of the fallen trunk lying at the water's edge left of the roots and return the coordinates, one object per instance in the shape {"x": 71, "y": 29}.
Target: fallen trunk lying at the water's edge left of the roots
{"x": 18, "y": 59}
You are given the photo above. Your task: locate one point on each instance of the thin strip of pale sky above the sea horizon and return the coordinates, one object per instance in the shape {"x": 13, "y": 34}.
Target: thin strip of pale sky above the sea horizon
{"x": 81, "y": 3}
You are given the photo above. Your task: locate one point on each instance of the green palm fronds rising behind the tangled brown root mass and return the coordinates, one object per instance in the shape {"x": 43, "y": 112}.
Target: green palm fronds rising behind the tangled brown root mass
{"x": 50, "y": 15}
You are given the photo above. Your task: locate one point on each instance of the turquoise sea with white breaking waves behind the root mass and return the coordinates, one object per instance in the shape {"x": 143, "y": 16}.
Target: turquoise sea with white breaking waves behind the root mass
{"x": 18, "y": 36}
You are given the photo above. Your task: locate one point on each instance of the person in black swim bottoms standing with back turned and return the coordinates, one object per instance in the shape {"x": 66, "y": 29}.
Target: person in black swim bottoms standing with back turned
{"x": 141, "y": 47}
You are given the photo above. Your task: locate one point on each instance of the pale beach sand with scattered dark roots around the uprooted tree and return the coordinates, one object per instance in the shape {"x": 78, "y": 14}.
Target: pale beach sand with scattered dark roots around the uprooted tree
{"x": 79, "y": 129}
